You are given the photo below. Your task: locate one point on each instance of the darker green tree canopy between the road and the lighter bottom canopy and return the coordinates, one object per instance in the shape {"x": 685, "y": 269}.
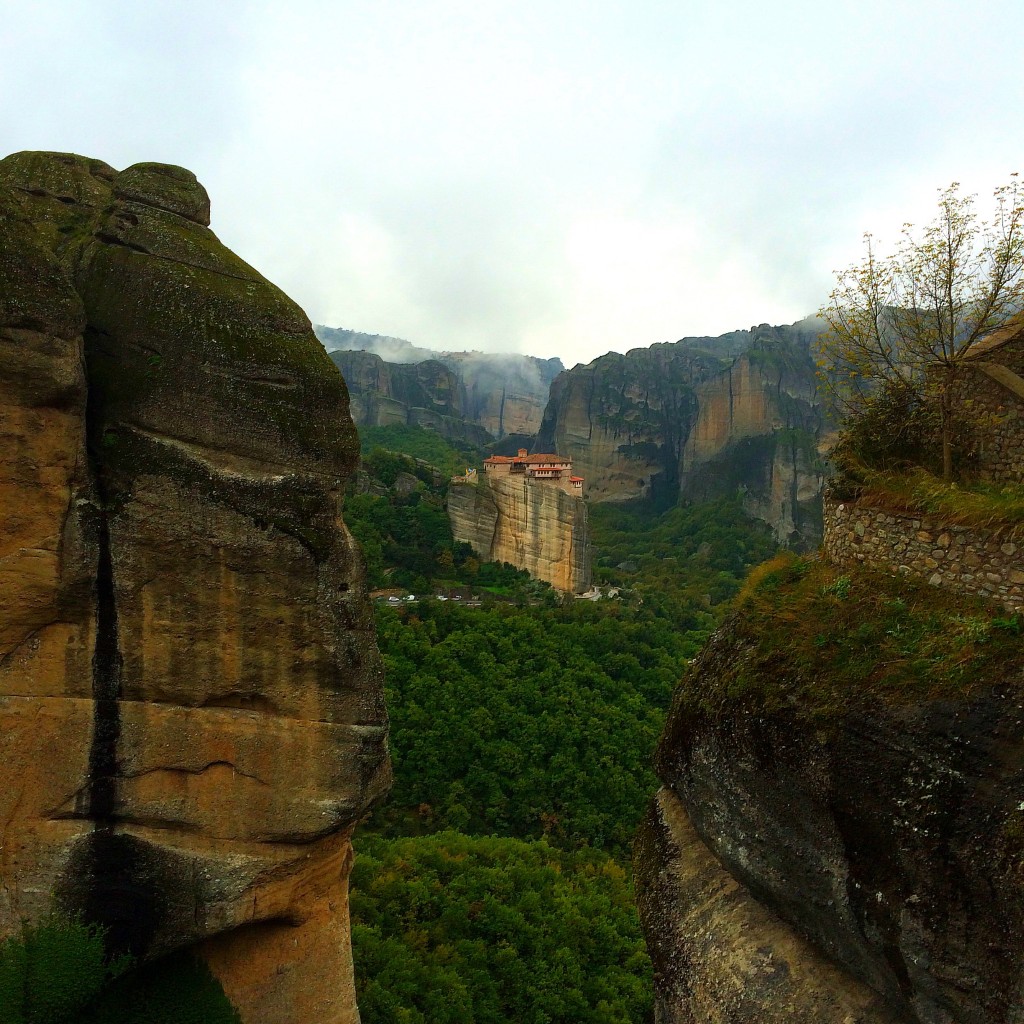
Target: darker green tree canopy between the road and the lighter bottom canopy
{"x": 527, "y": 721}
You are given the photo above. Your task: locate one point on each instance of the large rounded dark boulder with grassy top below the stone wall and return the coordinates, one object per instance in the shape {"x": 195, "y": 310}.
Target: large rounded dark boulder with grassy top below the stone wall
{"x": 839, "y": 835}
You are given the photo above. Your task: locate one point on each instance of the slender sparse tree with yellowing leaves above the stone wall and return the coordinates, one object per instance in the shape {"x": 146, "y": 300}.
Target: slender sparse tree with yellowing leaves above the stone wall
{"x": 902, "y": 326}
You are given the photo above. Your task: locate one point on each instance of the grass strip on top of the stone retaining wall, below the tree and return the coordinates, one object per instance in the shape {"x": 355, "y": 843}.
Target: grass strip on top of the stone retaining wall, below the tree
{"x": 997, "y": 508}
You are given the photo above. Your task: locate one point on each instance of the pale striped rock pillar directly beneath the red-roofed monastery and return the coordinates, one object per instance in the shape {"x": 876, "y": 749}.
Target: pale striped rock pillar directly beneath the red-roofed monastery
{"x": 534, "y": 526}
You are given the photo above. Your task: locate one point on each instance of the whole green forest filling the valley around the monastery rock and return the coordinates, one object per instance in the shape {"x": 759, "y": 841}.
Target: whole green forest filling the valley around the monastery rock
{"x": 494, "y": 885}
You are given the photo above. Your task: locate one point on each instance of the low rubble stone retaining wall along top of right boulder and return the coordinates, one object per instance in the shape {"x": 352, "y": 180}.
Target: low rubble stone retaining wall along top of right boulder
{"x": 954, "y": 558}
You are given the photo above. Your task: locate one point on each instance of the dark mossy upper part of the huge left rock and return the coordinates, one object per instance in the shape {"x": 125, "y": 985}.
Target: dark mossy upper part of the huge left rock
{"x": 184, "y": 338}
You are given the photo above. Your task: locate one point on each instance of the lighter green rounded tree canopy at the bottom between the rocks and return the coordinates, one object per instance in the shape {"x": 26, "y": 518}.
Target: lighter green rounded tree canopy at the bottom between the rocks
{"x": 453, "y": 930}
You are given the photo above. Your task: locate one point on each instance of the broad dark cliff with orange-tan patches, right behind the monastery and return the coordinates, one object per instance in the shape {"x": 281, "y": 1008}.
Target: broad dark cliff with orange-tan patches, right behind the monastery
{"x": 698, "y": 419}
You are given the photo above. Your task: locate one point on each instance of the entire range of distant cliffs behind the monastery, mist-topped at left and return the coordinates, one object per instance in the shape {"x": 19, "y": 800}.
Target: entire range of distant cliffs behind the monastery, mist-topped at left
{"x": 695, "y": 419}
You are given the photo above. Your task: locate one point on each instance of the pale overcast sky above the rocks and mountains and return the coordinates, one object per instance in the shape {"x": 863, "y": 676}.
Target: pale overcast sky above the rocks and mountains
{"x": 564, "y": 178}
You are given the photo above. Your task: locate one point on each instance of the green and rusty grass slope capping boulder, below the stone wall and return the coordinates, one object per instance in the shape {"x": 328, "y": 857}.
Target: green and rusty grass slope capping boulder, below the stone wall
{"x": 822, "y": 639}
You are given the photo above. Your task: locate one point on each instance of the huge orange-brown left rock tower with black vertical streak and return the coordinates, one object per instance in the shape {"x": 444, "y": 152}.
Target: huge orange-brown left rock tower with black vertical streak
{"x": 191, "y": 706}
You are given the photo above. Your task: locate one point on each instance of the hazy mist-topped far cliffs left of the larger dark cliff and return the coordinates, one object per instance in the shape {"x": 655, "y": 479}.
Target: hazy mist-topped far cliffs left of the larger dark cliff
{"x": 474, "y": 397}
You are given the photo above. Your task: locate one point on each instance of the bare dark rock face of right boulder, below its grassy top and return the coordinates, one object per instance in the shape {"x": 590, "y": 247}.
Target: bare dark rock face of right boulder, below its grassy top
{"x": 862, "y": 866}
